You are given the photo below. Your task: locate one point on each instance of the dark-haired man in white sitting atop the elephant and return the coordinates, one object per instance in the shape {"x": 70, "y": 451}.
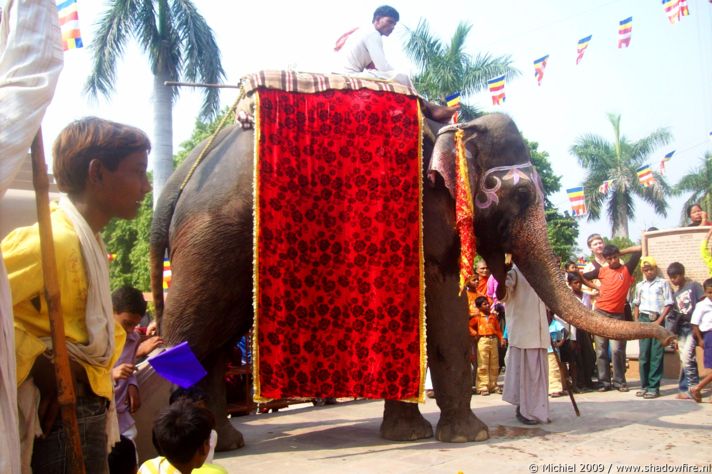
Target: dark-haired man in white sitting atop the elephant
{"x": 363, "y": 55}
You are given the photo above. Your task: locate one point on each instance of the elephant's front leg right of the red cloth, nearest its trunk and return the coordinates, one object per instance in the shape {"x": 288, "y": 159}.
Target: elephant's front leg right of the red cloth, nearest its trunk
{"x": 448, "y": 356}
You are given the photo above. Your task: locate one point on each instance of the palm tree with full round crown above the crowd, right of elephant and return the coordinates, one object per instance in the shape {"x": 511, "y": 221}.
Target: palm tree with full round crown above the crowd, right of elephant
{"x": 617, "y": 162}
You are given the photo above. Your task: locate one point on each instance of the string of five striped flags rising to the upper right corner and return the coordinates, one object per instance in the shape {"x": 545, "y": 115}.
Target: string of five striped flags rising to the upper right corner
{"x": 674, "y": 10}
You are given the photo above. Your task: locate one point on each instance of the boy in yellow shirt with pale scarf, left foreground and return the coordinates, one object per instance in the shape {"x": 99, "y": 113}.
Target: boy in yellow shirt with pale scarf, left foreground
{"x": 101, "y": 166}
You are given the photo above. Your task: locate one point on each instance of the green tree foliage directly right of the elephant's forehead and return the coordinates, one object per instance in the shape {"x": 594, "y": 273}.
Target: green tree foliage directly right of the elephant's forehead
{"x": 562, "y": 229}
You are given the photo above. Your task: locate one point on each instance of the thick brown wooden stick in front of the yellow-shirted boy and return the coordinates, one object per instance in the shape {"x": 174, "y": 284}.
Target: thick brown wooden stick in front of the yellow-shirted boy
{"x": 65, "y": 386}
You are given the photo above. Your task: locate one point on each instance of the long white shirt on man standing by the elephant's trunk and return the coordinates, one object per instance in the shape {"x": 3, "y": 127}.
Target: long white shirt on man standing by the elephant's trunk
{"x": 527, "y": 326}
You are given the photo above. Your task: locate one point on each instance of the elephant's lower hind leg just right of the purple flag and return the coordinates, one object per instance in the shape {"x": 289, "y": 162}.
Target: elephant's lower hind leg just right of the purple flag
{"x": 214, "y": 385}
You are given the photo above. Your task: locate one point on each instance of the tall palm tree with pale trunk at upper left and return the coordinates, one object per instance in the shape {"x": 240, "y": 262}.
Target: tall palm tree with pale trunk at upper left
{"x": 179, "y": 43}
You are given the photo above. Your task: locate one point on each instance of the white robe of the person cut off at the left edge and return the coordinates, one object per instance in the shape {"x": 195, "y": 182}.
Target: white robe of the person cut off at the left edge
{"x": 31, "y": 59}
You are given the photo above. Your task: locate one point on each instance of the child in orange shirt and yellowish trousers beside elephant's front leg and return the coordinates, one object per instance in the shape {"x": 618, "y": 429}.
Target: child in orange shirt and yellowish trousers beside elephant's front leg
{"x": 485, "y": 329}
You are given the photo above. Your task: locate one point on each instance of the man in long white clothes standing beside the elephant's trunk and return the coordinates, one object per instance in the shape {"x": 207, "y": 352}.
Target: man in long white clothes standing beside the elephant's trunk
{"x": 526, "y": 378}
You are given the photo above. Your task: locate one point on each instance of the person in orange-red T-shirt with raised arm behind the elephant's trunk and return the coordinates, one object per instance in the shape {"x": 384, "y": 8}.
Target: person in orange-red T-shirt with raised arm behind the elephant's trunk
{"x": 616, "y": 279}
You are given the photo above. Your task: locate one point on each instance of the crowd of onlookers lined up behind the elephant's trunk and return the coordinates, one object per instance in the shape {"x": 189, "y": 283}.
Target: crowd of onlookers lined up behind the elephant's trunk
{"x": 546, "y": 355}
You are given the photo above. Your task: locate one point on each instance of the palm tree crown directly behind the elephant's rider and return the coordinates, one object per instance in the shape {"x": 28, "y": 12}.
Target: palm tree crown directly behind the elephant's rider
{"x": 444, "y": 69}
